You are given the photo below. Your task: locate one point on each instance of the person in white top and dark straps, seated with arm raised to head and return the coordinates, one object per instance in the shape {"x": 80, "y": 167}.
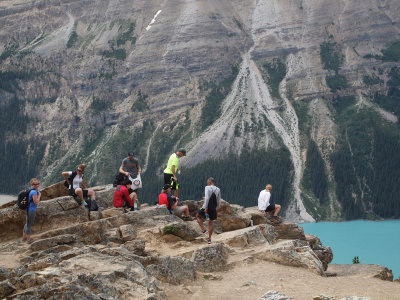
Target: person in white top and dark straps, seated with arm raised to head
{"x": 74, "y": 180}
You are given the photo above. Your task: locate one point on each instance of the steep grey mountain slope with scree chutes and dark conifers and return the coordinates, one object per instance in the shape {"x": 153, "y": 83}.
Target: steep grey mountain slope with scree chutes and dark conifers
{"x": 300, "y": 94}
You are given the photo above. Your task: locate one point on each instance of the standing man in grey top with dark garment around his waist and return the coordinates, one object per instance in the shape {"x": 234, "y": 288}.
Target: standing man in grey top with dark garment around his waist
{"x": 212, "y": 200}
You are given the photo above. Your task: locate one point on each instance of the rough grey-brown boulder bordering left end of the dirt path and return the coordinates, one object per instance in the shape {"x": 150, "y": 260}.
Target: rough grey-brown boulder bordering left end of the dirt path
{"x": 172, "y": 270}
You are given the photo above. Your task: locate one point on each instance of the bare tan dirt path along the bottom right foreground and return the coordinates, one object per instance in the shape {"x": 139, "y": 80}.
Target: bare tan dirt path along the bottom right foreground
{"x": 251, "y": 281}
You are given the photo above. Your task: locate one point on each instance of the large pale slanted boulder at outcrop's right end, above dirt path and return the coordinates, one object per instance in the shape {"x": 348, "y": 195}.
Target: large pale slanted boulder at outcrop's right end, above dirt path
{"x": 290, "y": 253}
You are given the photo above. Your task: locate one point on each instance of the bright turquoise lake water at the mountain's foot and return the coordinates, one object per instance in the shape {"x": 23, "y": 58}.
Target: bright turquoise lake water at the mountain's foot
{"x": 374, "y": 242}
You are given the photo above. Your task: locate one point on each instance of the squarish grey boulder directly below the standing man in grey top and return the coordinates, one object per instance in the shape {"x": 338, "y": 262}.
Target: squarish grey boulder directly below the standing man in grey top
{"x": 210, "y": 258}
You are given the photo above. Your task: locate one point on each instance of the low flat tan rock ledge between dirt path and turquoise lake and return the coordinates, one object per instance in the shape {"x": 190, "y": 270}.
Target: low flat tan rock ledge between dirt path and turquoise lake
{"x": 364, "y": 270}
